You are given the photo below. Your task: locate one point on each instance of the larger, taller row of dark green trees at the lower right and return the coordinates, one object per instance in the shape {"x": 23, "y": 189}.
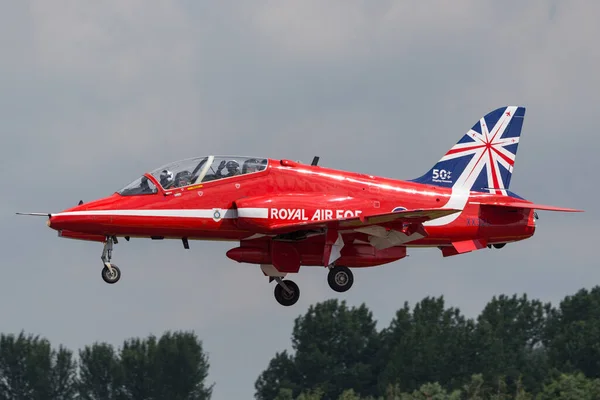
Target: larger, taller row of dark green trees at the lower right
{"x": 517, "y": 348}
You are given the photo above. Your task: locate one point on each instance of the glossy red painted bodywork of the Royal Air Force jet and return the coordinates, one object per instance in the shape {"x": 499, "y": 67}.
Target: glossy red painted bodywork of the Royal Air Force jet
{"x": 294, "y": 197}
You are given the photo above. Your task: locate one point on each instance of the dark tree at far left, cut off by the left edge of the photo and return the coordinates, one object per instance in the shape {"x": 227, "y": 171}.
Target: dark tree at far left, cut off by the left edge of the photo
{"x": 31, "y": 369}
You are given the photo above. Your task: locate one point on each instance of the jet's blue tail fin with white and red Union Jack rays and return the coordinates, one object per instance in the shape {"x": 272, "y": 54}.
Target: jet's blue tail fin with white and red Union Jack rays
{"x": 483, "y": 159}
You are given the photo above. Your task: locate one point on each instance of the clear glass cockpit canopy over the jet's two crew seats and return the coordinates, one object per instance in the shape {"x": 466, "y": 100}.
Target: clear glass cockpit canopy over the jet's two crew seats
{"x": 193, "y": 171}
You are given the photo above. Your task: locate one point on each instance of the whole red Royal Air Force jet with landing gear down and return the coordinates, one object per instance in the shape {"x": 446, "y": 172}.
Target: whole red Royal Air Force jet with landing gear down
{"x": 287, "y": 214}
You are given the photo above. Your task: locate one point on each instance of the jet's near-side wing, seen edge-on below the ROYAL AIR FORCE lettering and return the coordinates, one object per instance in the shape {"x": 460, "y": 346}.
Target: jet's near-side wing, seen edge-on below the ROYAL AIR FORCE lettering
{"x": 406, "y": 216}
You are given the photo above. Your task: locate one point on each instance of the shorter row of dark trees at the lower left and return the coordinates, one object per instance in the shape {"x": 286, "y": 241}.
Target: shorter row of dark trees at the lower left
{"x": 172, "y": 367}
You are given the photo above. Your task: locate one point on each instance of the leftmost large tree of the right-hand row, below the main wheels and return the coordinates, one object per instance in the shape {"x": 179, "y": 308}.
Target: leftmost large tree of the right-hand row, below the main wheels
{"x": 335, "y": 349}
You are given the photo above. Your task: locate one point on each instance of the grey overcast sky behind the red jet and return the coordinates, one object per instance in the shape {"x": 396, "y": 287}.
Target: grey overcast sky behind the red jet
{"x": 93, "y": 94}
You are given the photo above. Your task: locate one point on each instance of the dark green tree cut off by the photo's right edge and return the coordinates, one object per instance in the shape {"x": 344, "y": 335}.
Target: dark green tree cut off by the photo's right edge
{"x": 573, "y": 331}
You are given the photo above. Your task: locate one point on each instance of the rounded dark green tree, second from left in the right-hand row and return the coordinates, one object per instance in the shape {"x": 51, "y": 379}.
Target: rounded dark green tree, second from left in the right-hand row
{"x": 431, "y": 344}
